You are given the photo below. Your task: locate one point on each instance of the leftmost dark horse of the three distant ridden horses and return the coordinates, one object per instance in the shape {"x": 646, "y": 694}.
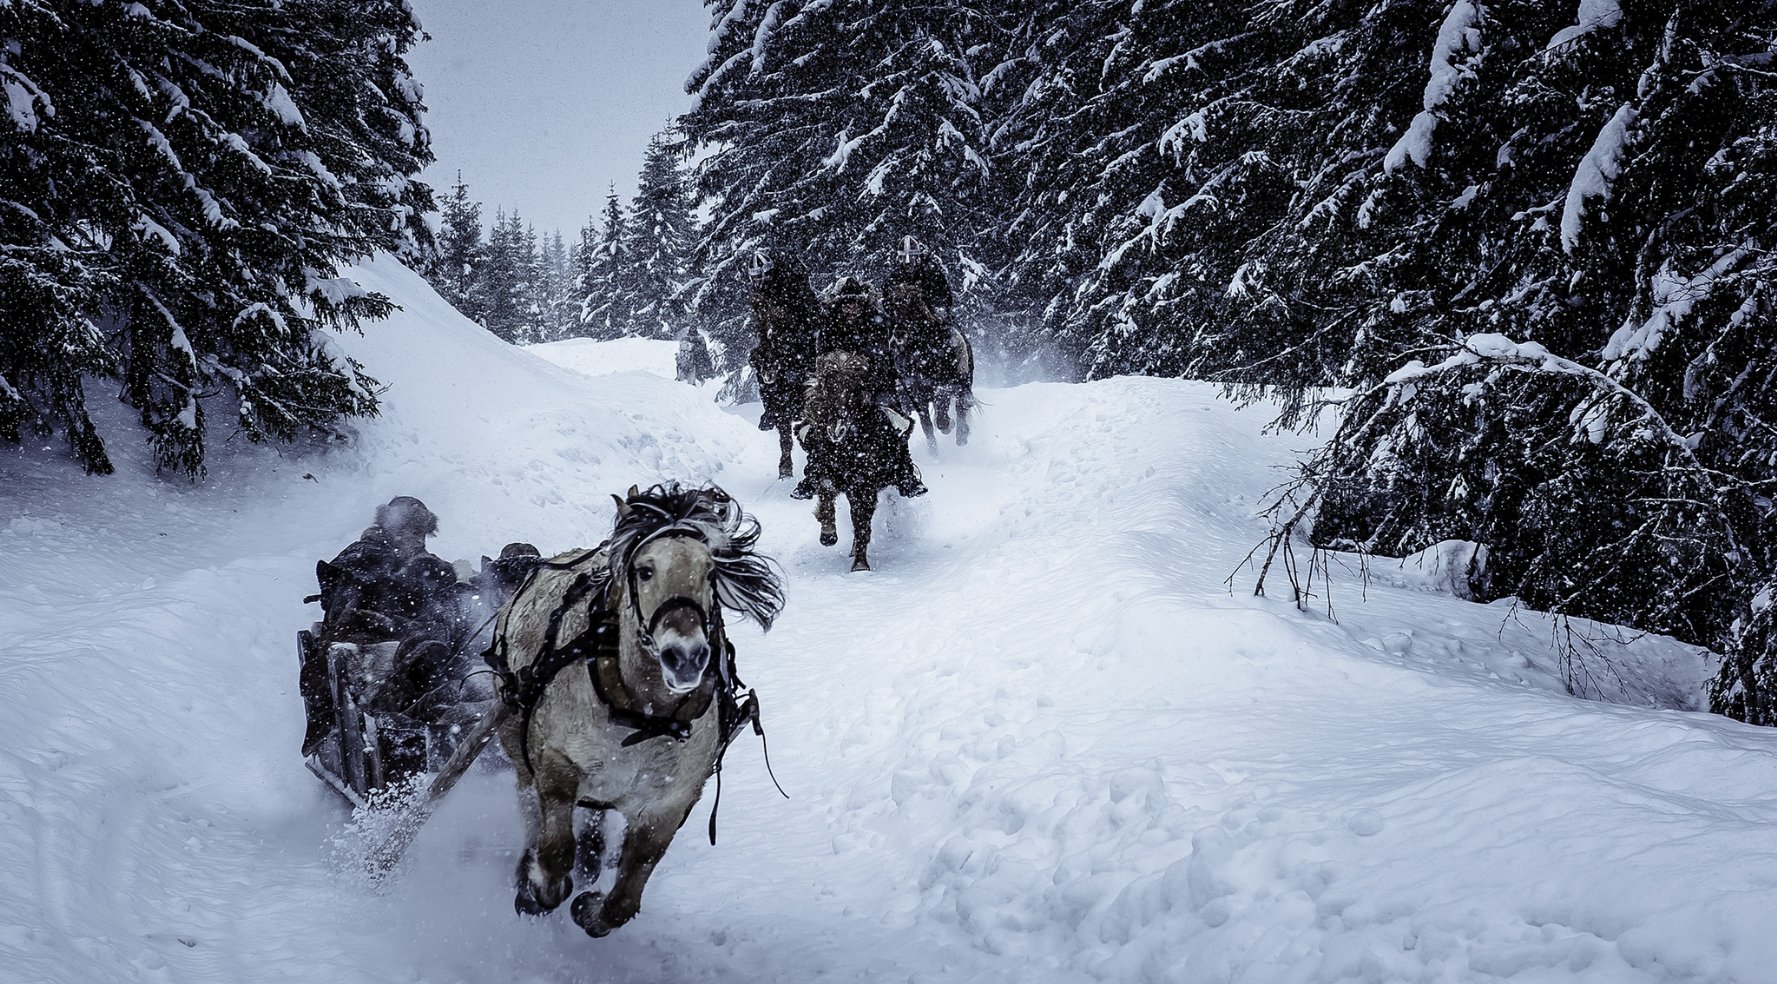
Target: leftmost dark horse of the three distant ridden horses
{"x": 786, "y": 319}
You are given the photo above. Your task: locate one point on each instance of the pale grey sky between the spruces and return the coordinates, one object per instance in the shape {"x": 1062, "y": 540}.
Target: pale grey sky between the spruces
{"x": 545, "y": 104}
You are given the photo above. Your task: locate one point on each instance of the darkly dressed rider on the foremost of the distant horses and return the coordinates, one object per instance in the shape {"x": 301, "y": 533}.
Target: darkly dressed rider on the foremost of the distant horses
{"x": 856, "y": 326}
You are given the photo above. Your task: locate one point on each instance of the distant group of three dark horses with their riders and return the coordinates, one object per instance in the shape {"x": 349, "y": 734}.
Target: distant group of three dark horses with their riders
{"x": 849, "y": 379}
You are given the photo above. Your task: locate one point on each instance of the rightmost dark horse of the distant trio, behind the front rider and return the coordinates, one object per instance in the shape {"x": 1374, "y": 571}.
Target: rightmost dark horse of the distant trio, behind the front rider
{"x": 936, "y": 363}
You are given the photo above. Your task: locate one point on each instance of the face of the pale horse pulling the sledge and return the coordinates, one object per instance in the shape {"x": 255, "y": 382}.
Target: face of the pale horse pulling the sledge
{"x": 674, "y": 585}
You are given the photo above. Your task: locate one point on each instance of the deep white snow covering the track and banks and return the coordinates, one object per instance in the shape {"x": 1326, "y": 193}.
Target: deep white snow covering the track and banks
{"x": 1044, "y": 742}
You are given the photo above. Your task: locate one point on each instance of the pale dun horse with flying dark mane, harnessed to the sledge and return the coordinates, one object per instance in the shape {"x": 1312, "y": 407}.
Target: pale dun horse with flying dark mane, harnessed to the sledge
{"x": 625, "y": 686}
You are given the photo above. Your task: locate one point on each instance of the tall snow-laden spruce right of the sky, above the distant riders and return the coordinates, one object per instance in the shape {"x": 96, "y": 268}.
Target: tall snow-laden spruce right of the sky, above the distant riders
{"x": 833, "y": 131}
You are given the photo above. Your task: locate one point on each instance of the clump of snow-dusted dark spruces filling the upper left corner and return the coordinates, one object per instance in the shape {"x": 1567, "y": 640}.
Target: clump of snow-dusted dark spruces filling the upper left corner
{"x": 179, "y": 200}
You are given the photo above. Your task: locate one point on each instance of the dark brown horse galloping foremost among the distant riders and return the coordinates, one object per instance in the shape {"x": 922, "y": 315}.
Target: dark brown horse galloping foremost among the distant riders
{"x": 852, "y": 448}
